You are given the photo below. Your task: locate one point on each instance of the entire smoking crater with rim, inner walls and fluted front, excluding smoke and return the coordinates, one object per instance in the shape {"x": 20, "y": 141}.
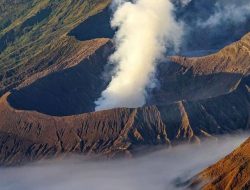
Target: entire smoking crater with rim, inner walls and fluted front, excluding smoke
{"x": 199, "y": 97}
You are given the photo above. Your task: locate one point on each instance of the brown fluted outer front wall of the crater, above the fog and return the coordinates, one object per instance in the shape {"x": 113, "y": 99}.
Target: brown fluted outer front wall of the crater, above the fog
{"x": 121, "y": 131}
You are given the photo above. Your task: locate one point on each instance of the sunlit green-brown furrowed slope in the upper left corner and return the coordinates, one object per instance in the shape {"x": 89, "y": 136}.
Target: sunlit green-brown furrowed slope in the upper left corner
{"x": 36, "y": 37}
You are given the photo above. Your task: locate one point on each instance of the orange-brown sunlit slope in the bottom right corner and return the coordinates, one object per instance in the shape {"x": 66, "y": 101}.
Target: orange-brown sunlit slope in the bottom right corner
{"x": 232, "y": 172}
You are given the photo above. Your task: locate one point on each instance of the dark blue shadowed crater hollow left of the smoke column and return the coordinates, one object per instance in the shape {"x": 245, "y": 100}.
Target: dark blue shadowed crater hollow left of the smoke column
{"x": 67, "y": 92}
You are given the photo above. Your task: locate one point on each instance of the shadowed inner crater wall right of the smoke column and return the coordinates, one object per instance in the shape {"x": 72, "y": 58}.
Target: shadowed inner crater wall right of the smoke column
{"x": 180, "y": 83}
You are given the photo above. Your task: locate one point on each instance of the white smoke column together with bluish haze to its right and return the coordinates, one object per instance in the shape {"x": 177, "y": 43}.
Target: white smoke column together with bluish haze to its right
{"x": 147, "y": 28}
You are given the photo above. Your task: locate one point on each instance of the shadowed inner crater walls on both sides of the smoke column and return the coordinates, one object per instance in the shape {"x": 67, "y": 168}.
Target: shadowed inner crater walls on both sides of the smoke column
{"x": 74, "y": 90}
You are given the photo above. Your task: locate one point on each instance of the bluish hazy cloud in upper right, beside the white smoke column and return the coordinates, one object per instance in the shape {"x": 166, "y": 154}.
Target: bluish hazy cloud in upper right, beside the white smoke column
{"x": 210, "y": 25}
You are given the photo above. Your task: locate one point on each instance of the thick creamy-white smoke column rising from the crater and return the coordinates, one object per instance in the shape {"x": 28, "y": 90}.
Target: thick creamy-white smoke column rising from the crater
{"x": 145, "y": 29}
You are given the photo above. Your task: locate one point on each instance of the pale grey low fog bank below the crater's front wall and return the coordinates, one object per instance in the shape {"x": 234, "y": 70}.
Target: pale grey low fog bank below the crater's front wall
{"x": 156, "y": 171}
